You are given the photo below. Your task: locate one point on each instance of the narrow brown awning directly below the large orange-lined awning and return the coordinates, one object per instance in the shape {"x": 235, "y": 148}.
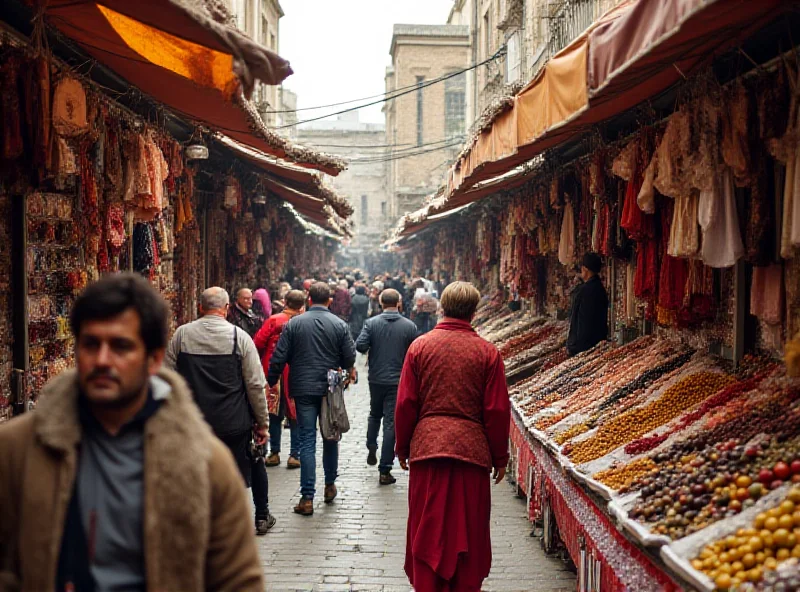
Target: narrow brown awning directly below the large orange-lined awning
{"x": 302, "y": 180}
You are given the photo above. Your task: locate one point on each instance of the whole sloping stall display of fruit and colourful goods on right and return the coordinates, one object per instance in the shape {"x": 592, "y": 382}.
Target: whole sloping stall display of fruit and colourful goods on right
{"x": 682, "y": 441}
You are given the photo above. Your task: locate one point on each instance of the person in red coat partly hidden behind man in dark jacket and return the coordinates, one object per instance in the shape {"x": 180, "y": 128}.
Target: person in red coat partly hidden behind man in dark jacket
{"x": 279, "y": 404}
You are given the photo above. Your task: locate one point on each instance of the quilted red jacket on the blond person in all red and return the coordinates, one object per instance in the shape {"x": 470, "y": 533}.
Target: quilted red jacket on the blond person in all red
{"x": 452, "y": 401}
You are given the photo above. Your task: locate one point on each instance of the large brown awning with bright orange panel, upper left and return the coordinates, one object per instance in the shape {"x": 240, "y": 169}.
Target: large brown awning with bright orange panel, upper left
{"x": 197, "y": 67}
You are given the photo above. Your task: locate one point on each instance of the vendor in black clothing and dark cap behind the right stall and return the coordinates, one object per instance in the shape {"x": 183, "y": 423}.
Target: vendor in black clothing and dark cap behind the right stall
{"x": 588, "y": 324}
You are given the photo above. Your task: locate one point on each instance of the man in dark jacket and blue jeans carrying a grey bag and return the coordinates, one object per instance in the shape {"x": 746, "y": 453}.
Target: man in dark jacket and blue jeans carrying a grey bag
{"x": 312, "y": 344}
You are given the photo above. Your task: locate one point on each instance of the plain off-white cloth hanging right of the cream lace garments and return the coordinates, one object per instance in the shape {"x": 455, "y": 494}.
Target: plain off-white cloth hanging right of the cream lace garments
{"x": 722, "y": 239}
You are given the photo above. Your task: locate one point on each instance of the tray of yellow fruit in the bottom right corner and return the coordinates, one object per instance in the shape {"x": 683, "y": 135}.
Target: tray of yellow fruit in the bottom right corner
{"x": 772, "y": 538}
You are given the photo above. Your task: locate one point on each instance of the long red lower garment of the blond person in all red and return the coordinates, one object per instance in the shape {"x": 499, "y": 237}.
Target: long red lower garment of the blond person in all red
{"x": 448, "y": 546}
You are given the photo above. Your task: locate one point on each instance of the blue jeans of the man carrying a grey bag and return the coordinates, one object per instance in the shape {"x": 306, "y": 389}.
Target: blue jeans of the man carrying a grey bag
{"x": 308, "y": 411}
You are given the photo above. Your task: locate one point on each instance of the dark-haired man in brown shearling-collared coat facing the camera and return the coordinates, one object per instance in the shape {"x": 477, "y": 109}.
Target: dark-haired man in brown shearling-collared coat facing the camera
{"x": 115, "y": 481}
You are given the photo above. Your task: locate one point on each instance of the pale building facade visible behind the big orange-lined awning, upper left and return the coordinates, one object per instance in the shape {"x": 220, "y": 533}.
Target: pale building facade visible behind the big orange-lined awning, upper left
{"x": 260, "y": 20}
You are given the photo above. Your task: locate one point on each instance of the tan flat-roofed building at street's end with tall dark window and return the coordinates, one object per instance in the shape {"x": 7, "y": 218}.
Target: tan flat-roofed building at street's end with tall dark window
{"x": 426, "y": 126}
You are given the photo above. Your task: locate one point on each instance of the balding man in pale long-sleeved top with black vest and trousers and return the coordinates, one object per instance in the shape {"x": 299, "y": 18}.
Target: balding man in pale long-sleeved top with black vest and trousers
{"x": 221, "y": 365}
